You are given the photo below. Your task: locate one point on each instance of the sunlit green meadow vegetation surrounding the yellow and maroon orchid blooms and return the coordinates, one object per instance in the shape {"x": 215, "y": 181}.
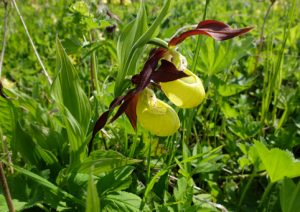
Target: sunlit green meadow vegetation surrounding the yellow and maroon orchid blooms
{"x": 236, "y": 151}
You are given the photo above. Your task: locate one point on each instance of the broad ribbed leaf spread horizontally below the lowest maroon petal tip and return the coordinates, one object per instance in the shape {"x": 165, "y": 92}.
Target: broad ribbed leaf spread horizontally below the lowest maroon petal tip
{"x": 103, "y": 161}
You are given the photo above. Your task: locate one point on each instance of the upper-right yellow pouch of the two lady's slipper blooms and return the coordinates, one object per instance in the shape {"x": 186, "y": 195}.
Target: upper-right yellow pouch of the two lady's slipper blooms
{"x": 186, "y": 92}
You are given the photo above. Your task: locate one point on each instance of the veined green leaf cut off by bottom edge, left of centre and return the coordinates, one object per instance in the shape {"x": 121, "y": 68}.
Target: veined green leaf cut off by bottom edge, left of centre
{"x": 121, "y": 201}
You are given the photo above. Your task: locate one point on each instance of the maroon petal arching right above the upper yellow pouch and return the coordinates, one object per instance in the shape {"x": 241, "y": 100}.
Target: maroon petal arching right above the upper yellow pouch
{"x": 215, "y": 29}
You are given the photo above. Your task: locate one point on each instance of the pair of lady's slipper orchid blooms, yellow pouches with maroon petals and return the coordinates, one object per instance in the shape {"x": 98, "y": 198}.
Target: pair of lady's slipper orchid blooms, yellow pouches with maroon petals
{"x": 167, "y": 69}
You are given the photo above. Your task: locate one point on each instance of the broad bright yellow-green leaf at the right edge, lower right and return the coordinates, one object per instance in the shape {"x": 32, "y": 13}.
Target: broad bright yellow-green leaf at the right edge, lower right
{"x": 278, "y": 163}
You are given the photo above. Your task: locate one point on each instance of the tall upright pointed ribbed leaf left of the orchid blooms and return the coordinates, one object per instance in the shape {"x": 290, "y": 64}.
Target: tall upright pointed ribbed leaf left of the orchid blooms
{"x": 72, "y": 102}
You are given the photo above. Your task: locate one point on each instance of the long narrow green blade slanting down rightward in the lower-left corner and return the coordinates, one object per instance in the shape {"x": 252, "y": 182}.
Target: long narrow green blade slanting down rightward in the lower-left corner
{"x": 47, "y": 184}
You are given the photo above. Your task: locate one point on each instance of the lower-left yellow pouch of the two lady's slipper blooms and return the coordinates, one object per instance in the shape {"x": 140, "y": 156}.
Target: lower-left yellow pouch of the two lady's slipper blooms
{"x": 156, "y": 116}
